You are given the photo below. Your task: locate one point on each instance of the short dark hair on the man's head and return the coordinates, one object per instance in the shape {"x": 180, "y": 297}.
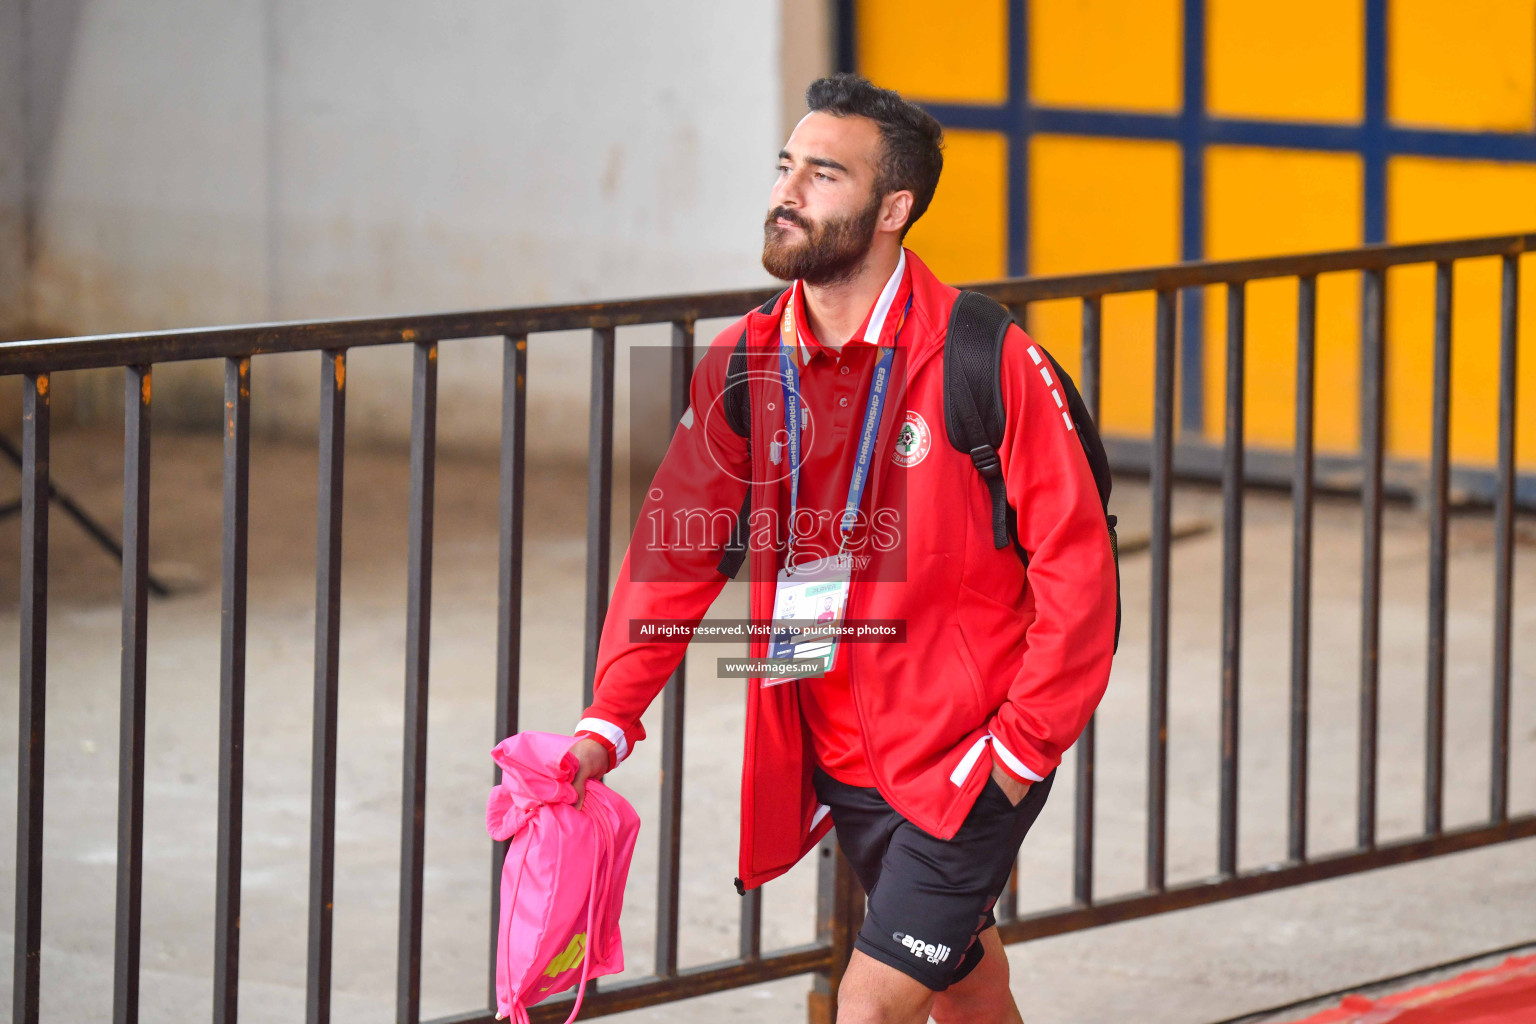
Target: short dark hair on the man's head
{"x": 913, "y": 140}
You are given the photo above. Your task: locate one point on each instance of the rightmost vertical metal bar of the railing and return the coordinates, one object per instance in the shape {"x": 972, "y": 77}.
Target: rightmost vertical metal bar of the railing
{"x": 1505, "y": 543}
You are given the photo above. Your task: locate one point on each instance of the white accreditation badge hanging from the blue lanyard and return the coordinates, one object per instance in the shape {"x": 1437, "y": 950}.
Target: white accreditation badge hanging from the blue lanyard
{"x": 807, "y": 615}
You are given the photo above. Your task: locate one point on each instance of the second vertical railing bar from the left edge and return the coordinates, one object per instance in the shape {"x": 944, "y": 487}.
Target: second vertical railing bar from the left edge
{"x": 131, "y": 702}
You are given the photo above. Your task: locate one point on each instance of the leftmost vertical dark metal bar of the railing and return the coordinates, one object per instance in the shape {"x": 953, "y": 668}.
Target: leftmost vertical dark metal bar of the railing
{"x": 31, "y": 713}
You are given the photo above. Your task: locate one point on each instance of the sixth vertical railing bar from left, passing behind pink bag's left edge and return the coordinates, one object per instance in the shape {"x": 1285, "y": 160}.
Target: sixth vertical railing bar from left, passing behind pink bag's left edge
{"x": 509, "y": 598}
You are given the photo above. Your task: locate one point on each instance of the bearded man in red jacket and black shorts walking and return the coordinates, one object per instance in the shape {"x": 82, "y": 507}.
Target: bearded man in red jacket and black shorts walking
{"x": 933, "y": 755}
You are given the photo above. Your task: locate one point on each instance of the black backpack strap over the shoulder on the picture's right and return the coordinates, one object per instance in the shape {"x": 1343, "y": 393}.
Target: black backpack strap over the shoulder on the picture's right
{"x": 975, "y": 395}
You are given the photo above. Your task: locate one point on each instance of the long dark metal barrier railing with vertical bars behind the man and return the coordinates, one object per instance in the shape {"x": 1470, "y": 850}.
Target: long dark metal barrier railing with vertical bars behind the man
{"x": 839, "y": 903}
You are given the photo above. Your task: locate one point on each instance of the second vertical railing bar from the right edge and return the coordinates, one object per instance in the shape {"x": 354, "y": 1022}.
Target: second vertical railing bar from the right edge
{"x": 1438, "y": 495}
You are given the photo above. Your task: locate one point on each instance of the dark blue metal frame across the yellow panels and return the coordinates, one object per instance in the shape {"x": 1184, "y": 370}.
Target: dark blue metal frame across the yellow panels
{"x": 1194, "y": 130}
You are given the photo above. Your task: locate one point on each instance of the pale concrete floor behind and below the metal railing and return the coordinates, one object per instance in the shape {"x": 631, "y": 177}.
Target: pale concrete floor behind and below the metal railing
{"x": 1176, "y": 969}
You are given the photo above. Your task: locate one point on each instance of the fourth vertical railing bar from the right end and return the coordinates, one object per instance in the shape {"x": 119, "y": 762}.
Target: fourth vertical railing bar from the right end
{"x": 1303, "y": 503}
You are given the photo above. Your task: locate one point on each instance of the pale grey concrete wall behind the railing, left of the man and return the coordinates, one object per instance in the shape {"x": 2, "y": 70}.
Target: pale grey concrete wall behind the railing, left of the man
{"x": 262, "y": 160}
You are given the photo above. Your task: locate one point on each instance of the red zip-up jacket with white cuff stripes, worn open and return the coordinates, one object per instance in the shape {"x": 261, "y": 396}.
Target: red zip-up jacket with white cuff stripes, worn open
{"x": 993, "y": 655}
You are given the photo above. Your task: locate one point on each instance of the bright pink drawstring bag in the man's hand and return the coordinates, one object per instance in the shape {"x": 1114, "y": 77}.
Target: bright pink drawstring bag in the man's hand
{"x": 563, "y": 880}
